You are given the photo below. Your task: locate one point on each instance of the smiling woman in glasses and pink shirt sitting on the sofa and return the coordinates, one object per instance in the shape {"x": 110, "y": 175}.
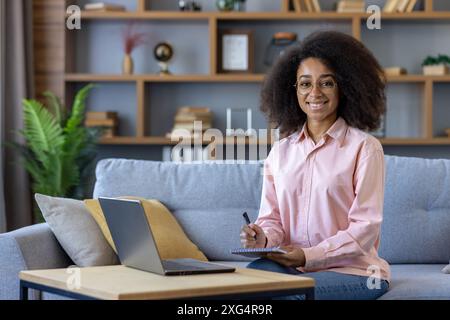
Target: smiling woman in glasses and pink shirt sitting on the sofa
{"x": 323, "y": 187}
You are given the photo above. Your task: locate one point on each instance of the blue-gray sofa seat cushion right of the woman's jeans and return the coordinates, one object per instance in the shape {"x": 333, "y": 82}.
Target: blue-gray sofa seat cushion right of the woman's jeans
{"x": 418, "y": 282}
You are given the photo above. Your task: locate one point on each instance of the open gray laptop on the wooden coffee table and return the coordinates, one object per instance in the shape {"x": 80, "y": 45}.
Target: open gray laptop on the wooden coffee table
{"x": 136, "y": 246}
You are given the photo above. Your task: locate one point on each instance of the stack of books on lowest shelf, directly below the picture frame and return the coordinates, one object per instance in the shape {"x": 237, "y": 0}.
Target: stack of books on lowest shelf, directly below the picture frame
{"x": 185, "y": 119}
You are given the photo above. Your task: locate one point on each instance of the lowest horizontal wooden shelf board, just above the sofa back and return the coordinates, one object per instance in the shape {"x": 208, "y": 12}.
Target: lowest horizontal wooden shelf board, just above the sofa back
{"x": 166, "y": 141}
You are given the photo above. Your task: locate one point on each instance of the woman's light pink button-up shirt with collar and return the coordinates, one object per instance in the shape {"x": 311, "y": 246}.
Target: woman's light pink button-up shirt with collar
{"x": 327, "y": 198}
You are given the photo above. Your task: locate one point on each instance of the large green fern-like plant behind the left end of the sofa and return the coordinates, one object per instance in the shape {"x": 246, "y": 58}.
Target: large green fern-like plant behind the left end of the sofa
{"x": 58, "y": 150}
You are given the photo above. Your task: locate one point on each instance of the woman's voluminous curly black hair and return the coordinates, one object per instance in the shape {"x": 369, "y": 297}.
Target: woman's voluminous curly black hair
{"x": 360, "y": 79}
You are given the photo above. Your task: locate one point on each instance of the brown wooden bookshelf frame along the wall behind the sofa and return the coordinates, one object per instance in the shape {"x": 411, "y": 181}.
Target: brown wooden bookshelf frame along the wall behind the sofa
{"x": 213, "y": 19}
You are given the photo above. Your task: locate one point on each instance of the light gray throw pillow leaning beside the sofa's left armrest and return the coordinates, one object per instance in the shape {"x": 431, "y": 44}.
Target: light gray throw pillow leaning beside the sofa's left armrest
{"x": 76, "y": 231}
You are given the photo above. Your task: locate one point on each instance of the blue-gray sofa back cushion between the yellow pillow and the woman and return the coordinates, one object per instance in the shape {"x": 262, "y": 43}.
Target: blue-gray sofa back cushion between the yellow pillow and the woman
{"x": 207, "y": 199}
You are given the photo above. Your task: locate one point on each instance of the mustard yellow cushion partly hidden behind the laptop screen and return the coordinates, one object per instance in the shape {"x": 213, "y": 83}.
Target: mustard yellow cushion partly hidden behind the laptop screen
{"x": 170, "y": 238}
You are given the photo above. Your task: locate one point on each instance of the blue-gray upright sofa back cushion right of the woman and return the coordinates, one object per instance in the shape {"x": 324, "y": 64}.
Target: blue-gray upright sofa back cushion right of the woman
{"x": 416, "y": 221}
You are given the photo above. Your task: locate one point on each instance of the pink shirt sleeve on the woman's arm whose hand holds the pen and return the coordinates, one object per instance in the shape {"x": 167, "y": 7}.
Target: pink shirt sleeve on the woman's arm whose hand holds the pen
{"x": 269, "y": 213}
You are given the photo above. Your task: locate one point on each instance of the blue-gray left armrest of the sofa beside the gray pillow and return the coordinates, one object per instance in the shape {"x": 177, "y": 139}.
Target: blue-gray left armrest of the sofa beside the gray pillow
{"x": 29, "y": 248}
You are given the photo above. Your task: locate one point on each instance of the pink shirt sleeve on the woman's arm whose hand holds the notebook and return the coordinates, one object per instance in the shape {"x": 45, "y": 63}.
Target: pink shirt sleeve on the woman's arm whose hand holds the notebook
{"x": 365, "y": 217}
